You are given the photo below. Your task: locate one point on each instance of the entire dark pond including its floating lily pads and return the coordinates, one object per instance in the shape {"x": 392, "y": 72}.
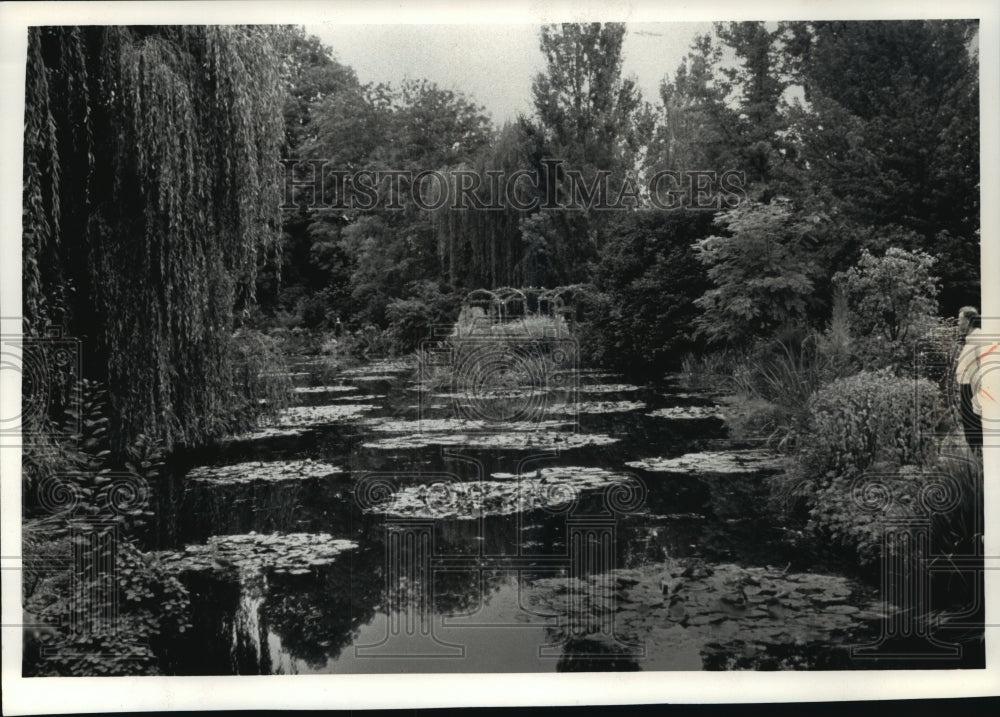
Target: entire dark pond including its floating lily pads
{"x": 386, "y": 525}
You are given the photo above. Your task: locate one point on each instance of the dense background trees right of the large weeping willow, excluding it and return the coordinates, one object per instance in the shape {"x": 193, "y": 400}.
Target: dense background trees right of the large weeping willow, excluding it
{"x": 850, "y": 136}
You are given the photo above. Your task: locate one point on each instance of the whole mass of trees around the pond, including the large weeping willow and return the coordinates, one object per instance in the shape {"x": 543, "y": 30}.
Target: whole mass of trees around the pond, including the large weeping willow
{"x": 154, "y": 223}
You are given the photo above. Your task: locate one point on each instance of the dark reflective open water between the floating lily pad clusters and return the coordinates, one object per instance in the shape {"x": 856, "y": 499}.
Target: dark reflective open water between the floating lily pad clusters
{"x": 530, "y": 590}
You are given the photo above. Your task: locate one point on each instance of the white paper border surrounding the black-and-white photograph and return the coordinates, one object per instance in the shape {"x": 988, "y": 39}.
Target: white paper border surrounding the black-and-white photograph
{"x": 83, "y": 694}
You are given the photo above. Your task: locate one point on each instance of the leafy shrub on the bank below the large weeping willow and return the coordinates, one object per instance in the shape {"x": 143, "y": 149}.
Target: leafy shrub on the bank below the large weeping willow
{"x": 152, "y": 605}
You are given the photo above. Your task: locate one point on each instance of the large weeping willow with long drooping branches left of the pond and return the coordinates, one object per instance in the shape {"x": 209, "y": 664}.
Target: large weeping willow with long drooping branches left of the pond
{"x": 151, "y": 196}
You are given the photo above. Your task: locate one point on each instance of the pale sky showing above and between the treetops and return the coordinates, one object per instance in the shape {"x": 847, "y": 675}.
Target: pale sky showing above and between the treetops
{"x": 493, "y": 64}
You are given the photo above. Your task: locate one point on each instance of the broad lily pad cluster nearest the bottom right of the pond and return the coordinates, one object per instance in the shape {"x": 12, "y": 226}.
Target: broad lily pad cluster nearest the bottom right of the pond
{"x": 677, "y": 609}
